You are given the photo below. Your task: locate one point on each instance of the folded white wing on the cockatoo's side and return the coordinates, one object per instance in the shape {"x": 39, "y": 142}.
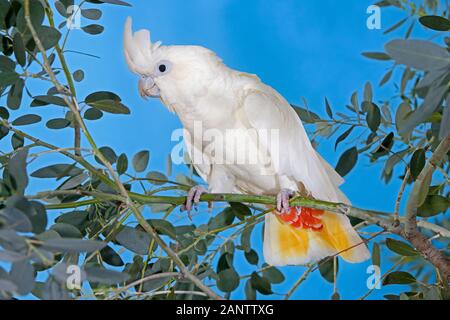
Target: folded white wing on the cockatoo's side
{"x": 265, "y": 109}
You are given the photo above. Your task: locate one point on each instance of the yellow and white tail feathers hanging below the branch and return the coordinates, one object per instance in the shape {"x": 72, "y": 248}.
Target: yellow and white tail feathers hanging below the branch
{"x": 286, "y": 245}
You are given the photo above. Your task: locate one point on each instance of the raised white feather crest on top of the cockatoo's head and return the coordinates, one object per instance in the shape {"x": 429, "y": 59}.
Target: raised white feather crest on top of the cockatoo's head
{"x": 138, "y": 49}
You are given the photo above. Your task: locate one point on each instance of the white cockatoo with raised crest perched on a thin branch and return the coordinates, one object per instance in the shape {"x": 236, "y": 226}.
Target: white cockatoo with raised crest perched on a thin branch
{"x": 192, "y": 82}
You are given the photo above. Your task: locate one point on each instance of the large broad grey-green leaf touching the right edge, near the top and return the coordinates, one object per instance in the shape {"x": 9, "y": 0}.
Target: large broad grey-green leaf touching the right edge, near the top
{"x": 418, "y": 54}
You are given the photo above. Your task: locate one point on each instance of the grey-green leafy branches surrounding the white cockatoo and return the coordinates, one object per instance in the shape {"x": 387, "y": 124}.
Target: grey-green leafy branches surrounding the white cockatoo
{"x": 100, "y": 223}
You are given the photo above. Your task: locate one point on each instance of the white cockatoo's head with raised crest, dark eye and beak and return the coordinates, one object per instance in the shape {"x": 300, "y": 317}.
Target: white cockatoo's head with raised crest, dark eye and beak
{"x": 168, "y": 72}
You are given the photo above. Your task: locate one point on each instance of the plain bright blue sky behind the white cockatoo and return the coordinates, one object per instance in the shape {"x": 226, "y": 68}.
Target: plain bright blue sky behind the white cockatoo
{"x": 307, "y": 49}
